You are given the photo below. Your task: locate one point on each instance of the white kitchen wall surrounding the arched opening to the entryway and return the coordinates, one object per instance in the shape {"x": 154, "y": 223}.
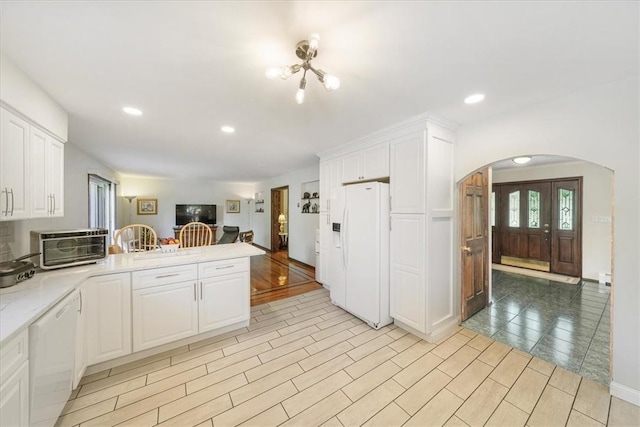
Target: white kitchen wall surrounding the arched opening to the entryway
{"x": 600, "y": 125}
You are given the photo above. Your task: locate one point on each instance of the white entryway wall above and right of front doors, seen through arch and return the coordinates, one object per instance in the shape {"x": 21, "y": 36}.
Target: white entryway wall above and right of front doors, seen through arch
{"x": 596, "y": 204}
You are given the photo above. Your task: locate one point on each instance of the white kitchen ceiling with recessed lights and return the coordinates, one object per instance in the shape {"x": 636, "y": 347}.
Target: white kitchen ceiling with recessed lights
{"x": 195, "y": 66}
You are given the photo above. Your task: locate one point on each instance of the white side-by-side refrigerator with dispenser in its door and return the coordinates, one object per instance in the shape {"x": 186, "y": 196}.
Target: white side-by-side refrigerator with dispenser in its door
{"x": 358, "y": 267}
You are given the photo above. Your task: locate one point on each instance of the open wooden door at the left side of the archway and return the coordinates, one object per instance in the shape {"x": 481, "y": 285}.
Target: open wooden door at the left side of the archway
{"x": 475, "y": 277}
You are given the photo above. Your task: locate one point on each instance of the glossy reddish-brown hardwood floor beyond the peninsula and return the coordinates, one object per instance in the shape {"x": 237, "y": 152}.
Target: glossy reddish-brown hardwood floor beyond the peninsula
{"x": 275, "y": 276}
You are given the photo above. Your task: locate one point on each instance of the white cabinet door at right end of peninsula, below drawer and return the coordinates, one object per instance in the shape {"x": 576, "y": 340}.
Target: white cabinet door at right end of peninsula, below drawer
{"x": 224, "y": 300}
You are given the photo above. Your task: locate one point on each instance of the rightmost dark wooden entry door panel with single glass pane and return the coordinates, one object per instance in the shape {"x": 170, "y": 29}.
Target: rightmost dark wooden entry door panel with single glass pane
{"x": 566, "y": 227}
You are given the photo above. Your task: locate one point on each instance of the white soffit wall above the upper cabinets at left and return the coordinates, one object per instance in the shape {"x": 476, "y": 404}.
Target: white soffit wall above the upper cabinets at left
{"x": 24, "y": 95}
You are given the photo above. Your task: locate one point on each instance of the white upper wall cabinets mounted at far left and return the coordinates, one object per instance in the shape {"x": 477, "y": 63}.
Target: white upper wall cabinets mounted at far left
{"x": 31, "y": 171}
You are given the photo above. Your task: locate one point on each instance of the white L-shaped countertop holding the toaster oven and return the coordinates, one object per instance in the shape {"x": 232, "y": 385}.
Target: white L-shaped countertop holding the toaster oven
{"x": 22, "y": 304}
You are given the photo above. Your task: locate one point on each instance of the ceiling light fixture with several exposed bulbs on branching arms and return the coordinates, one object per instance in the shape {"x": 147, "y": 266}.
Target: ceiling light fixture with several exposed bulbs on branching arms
{"x": 305, "y": 50}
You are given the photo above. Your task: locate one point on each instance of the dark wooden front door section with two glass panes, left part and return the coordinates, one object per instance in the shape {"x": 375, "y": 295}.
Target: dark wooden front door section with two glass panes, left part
{"x": 525, "y": 217}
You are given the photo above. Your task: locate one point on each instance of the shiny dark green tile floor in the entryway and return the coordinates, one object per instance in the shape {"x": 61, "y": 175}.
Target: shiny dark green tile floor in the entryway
{"x": 568, "y": 325}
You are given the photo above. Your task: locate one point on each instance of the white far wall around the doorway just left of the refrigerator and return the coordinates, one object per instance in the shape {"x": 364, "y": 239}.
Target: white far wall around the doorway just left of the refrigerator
{"x": 302, "y": 227}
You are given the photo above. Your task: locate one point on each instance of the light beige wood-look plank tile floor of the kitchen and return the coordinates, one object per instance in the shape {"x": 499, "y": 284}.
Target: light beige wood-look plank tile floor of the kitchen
{"x": 304, "y": 362}
